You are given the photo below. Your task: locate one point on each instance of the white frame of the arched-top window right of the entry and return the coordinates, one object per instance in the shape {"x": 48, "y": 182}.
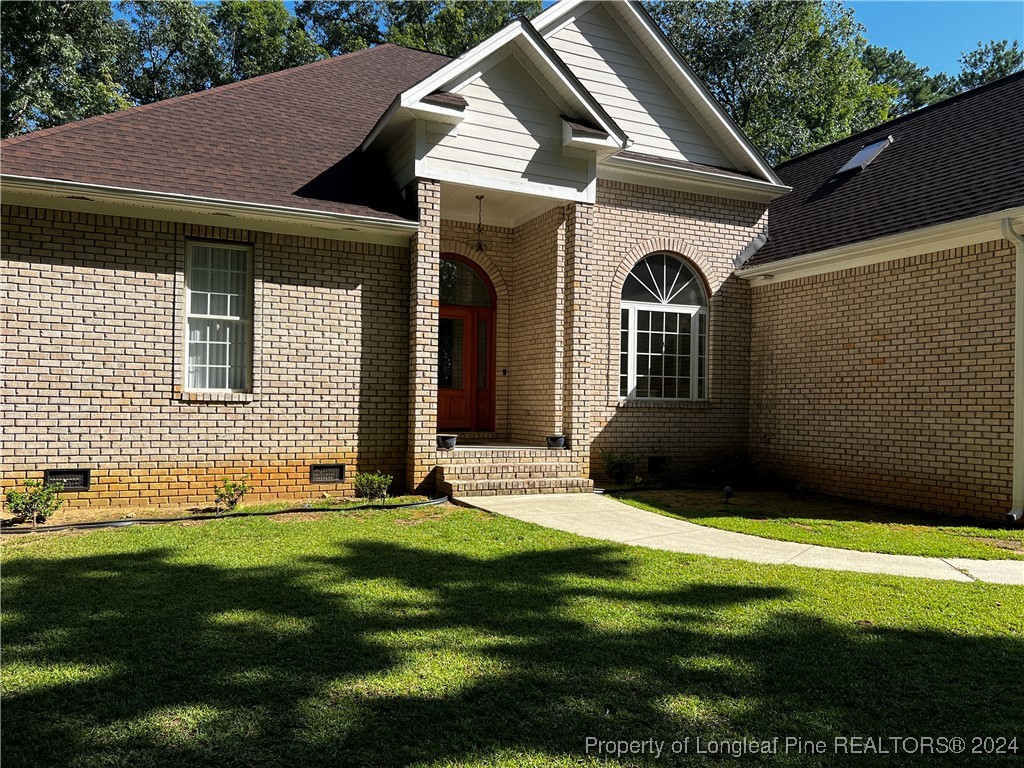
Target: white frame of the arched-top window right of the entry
{"x": 699, "y": 344}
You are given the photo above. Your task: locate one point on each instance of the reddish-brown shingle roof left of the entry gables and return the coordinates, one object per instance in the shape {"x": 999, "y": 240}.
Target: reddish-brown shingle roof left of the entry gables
{"x": 289, "y": 139}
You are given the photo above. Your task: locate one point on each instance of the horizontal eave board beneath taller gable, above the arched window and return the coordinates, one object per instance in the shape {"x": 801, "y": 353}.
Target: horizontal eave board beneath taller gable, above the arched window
{"x": 689, "y": 180}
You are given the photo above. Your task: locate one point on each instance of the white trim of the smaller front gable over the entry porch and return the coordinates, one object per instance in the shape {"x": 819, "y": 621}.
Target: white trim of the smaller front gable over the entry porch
{"x": 473, "y": 64}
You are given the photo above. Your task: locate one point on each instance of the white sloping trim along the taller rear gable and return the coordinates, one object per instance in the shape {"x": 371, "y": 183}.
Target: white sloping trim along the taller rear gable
{"x": 676, "y": 70}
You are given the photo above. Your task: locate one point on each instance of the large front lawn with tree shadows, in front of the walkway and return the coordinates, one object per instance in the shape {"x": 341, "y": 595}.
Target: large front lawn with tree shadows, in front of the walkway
{"x": 441, "y": 637}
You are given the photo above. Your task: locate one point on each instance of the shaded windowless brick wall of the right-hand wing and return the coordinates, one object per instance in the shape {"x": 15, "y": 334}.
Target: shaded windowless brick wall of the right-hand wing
{"x": 893, "y": 382}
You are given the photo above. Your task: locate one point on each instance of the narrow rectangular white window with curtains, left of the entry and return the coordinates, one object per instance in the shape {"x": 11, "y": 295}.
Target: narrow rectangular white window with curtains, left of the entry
{"x": 219, "y": 302}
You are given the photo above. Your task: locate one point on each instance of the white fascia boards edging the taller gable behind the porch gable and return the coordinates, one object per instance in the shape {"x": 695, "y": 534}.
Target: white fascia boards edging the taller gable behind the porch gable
{"x": 639, "y": 21}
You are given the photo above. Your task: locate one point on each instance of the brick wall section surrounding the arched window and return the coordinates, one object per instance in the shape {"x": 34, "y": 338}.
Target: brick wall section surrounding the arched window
{"x": 630, "y": 223}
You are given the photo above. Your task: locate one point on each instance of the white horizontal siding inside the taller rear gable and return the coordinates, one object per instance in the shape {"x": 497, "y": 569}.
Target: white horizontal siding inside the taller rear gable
{"x": 609, "y": 64}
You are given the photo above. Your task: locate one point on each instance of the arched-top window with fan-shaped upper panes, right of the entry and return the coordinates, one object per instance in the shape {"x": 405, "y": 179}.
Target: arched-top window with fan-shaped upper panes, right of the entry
{"x": 664, "y": 338}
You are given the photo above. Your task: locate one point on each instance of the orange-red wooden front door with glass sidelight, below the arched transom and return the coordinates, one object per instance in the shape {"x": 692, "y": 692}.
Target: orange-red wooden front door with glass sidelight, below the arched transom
{"x": 466, "y": 369}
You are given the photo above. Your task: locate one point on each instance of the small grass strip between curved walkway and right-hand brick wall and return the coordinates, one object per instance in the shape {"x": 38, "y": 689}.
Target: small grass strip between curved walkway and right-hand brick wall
{"x": 833, "y": 523}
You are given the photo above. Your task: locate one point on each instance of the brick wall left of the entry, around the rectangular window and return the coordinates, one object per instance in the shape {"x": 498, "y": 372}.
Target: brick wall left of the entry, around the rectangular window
{"x": 93, "y": 340}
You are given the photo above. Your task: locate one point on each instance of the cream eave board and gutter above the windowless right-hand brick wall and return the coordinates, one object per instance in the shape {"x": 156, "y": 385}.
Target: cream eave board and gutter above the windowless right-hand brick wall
{"x": 891, "y": 248}
